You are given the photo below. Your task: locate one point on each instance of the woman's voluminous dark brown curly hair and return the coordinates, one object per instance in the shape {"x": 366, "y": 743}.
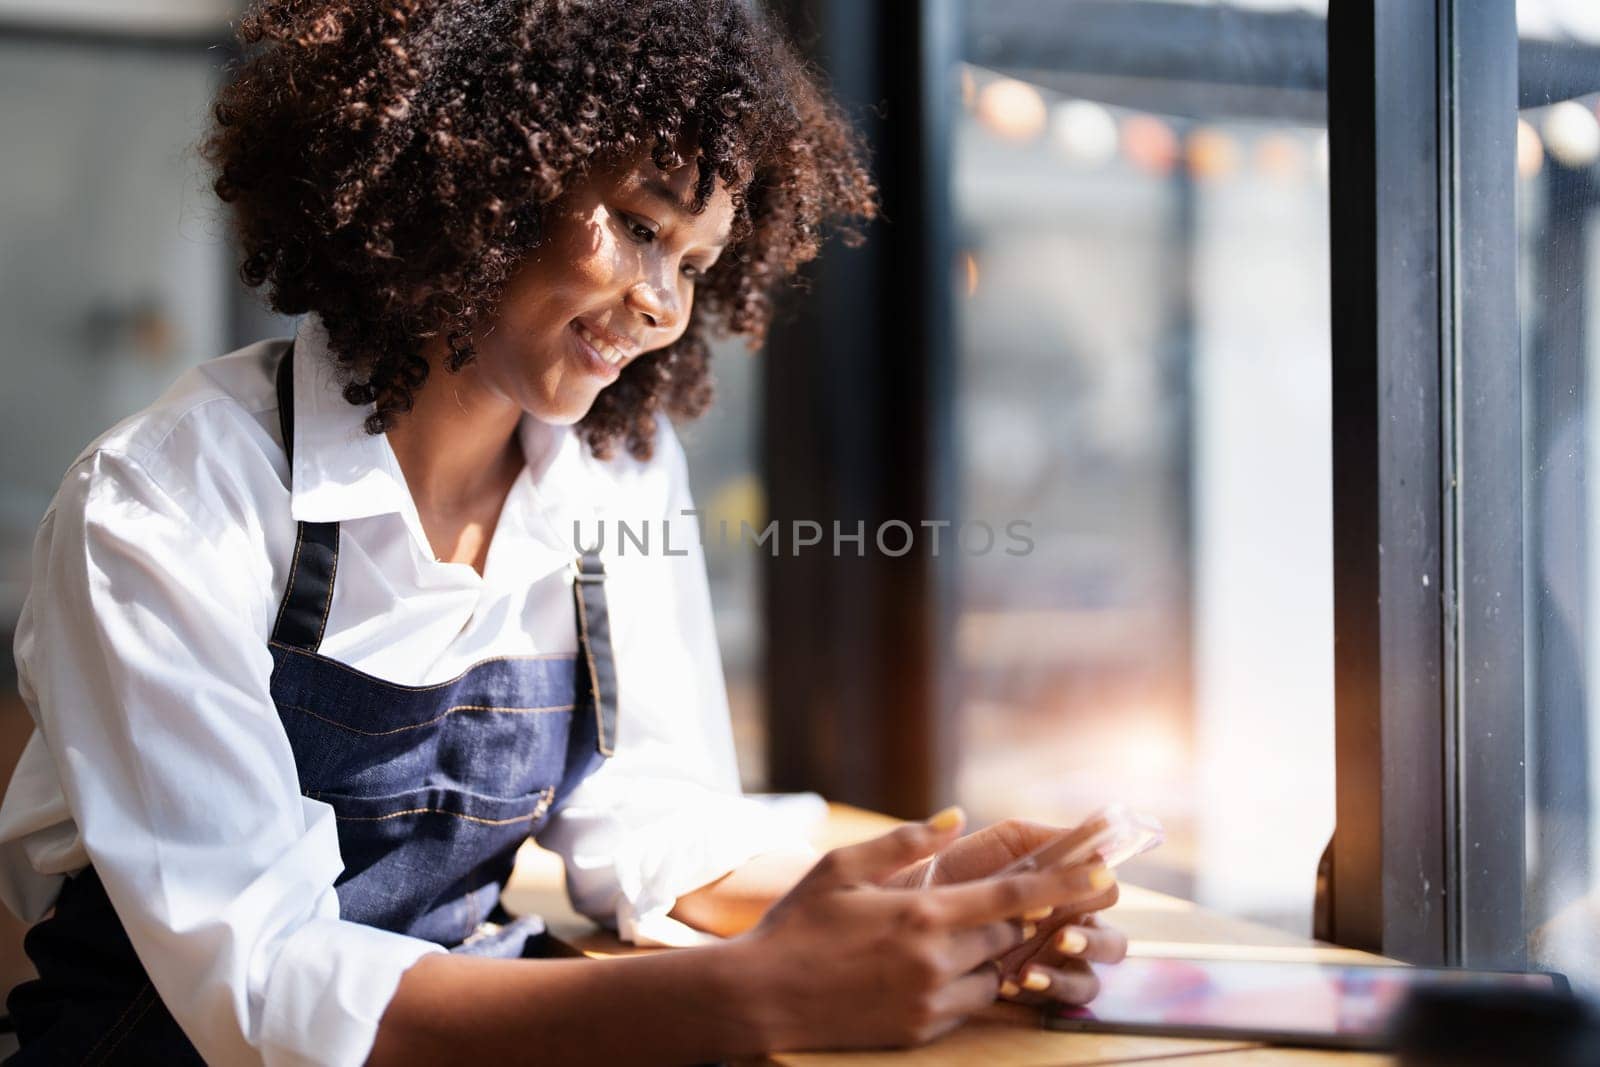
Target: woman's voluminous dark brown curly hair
{"x": 390, "y": 162}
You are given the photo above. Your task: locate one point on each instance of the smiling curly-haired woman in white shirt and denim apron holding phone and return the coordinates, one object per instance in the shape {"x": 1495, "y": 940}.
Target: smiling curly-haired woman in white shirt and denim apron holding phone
{"x": 306, "y": 644}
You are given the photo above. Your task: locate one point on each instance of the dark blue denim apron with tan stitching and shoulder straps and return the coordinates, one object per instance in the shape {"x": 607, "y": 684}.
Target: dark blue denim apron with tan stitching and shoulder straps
{"x": 434, "y": 789}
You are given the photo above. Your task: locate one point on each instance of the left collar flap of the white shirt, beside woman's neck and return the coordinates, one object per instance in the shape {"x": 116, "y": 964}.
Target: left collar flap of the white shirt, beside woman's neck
{"x": 340, "y": 470}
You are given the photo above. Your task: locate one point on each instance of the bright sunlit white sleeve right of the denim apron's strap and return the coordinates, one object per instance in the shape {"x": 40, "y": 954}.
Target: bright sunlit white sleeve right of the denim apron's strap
{"x": 665, "y": 815}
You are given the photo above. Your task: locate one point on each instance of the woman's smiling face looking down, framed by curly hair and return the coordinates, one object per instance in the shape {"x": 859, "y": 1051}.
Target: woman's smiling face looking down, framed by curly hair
{"x": 612, "y": 279}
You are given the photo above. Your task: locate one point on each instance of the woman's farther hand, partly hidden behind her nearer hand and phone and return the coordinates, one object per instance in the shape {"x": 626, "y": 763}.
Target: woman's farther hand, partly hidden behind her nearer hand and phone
{"x": 1054, "y": 962}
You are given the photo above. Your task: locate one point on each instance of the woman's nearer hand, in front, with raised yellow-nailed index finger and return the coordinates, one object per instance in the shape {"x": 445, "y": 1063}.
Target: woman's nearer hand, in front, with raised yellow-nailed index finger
{"x": 847, "y": 962}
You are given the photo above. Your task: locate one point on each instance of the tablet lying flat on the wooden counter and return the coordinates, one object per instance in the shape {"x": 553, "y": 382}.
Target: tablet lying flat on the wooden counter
{"x": 1326, "y": 1005}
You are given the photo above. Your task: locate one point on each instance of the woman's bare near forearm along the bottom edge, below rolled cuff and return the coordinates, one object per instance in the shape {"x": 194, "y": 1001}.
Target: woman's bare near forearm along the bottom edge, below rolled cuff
{"x": 690, "y": 1005}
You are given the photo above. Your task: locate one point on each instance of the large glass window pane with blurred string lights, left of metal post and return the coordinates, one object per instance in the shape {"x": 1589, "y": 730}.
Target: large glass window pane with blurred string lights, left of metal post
{"x": 1143, "y": 305}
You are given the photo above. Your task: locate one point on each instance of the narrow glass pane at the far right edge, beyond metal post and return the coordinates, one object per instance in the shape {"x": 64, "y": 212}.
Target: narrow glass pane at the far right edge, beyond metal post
{"x": 1559, "y": 255}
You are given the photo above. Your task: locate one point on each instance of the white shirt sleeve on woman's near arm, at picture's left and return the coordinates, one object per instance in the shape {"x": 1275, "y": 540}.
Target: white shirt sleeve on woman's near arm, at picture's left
{"x": 145, "y": 665}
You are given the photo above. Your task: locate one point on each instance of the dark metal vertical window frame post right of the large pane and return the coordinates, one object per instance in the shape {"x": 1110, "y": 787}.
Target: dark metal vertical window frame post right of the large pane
{"x": 1428, "y": 858}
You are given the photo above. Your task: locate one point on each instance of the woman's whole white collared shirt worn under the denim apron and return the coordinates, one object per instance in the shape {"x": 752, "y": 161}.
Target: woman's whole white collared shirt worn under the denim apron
{"x": 159, "y": 756}
